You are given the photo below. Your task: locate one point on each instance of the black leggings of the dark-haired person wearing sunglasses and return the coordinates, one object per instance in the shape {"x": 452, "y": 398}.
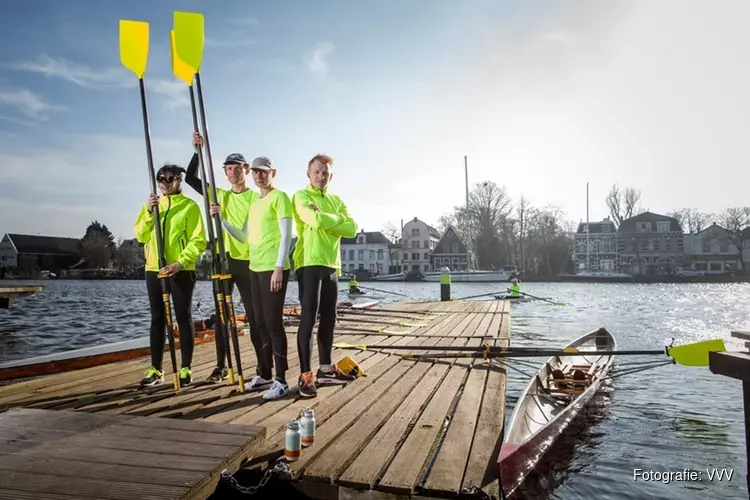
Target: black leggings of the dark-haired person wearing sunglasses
{"x": 180, "y": 287}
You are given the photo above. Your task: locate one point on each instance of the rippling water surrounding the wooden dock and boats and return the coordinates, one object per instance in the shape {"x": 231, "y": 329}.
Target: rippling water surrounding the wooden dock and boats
{"x": 666, "y": 420}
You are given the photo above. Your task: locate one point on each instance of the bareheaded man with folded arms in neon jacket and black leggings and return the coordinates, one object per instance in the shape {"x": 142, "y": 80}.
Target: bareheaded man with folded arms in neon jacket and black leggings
{"x": 322, "y": 220}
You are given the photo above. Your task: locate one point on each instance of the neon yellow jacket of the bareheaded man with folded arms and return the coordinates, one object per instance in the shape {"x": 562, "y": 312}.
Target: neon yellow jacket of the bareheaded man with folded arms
{"x": 319, "y": 233}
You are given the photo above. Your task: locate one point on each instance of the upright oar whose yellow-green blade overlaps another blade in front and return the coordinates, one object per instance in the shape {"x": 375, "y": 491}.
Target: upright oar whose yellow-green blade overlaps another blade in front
{"x": 189, "y": 38}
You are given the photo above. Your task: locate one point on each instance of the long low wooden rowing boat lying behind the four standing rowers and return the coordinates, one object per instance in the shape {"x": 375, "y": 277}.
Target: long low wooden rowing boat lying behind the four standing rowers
{"x": 88, "y": 357}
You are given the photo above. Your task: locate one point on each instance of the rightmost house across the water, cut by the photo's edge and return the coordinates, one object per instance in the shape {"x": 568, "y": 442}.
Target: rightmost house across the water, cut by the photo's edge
{"x": 711, "y": 251}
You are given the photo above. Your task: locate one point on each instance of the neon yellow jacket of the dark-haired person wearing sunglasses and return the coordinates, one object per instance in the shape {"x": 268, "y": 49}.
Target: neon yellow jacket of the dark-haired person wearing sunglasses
{"x": 182, "y": 230}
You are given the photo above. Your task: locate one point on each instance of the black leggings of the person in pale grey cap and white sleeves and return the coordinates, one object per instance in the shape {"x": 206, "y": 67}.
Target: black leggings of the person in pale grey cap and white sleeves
{"x": 269, "y": 316}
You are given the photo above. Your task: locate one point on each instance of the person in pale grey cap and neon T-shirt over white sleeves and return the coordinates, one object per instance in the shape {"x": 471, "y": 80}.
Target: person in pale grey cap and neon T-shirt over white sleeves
{"x": 268, "y": 231}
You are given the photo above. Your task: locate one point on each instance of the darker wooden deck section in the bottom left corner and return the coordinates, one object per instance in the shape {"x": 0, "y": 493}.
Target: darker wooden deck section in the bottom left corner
{"x": 54, "y": 454}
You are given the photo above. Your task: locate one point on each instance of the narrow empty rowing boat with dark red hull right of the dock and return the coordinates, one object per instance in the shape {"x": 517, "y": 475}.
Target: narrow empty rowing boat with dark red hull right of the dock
{"x": 553, "y": 397}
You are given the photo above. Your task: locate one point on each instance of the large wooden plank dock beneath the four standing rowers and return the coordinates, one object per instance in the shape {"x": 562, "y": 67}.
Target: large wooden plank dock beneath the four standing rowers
{"x": 408, "y": 428}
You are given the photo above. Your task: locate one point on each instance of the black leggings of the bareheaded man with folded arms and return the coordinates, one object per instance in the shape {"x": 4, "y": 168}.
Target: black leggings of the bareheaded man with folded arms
{"x": 320, "y": 290}
